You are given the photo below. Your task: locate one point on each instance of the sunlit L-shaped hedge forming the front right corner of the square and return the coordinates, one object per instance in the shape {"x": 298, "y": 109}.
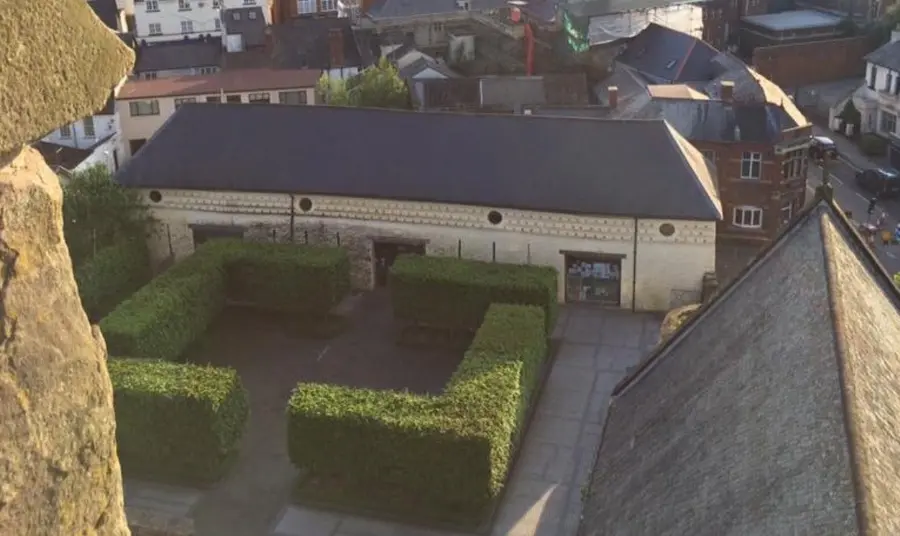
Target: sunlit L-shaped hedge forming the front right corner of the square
{"x": 440, "y": 456}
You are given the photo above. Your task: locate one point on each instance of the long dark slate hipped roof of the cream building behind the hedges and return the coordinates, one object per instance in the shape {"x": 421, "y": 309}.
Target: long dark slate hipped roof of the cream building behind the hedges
{"x": 544, "y": 164}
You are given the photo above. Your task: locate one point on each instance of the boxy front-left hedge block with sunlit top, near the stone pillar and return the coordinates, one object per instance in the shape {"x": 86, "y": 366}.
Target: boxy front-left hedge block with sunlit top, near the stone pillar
{"x": 175, "y": 421}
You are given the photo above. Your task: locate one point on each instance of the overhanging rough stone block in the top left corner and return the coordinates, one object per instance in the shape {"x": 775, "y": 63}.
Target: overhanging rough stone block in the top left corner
{"x": 59, "y": 65}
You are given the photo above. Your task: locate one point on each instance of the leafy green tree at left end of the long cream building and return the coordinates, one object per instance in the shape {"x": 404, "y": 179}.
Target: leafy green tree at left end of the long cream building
{"x": 98, "y": 212}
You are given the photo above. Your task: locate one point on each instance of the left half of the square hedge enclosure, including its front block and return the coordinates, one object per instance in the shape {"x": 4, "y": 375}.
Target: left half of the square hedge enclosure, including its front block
{"x": 184, "y": 422}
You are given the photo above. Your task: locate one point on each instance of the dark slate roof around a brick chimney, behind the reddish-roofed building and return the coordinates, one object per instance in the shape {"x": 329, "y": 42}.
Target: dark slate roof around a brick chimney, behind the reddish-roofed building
{"x": 303, "y": 43}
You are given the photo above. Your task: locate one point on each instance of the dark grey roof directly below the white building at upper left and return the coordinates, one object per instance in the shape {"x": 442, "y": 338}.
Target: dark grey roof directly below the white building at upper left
{"x": 175, "y": 55}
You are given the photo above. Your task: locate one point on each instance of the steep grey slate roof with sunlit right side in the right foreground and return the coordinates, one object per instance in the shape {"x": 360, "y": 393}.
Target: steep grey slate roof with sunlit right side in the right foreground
{"x": 774, "y": 411}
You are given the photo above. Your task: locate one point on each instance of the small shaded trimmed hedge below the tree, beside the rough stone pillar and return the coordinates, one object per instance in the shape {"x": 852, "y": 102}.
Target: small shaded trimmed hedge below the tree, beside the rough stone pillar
{"x": 112, "y": 275}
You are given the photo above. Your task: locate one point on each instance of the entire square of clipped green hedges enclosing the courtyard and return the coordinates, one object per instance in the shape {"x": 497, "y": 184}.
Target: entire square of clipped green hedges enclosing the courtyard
{"x": 429, "y": 458}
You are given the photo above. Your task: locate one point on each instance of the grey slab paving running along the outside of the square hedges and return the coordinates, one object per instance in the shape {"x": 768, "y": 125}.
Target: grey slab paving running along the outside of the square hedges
{"x": 544, "y": 495}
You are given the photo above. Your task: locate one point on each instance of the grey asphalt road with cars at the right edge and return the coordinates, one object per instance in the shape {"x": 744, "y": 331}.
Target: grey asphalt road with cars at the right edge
{"x": 850, "y": 197}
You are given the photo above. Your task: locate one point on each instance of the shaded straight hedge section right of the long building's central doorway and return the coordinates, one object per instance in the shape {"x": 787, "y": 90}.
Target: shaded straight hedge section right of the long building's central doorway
{"x": 455, "y": 293}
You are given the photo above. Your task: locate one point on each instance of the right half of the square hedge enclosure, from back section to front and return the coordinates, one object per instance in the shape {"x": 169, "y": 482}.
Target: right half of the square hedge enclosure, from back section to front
{"x": 445, "y": 457}
